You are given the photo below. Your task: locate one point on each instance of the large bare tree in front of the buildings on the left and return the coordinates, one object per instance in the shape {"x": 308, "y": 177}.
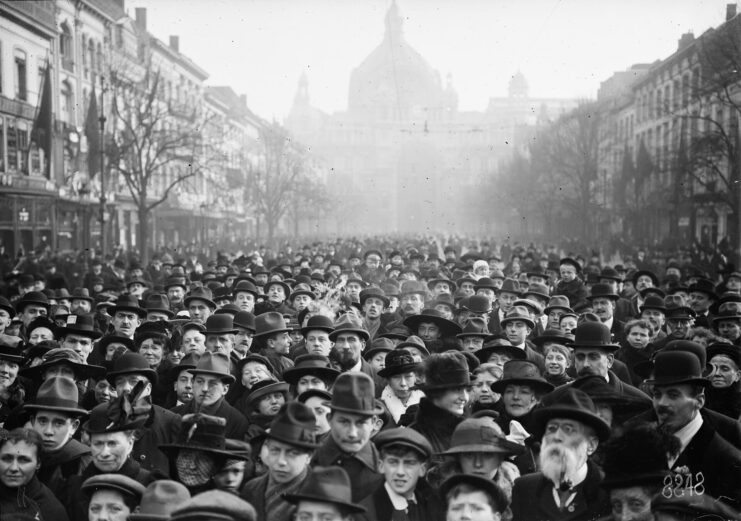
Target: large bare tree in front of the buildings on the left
{"x": 157, "y": 145}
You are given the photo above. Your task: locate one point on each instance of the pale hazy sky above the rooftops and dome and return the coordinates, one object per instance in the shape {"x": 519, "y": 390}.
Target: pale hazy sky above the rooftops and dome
{"x": 565, "y": 48}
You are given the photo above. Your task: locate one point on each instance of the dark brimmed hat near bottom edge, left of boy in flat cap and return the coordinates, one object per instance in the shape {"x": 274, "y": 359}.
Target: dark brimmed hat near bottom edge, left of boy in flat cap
{"x": 327, "y": 485}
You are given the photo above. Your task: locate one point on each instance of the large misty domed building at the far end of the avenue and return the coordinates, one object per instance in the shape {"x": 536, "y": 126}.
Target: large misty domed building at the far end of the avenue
{"x": 402, "y": 156}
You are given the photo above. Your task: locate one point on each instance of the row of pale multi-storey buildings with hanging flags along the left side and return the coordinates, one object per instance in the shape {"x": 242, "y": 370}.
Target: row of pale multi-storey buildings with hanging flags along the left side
{"x": 53, "y": 191}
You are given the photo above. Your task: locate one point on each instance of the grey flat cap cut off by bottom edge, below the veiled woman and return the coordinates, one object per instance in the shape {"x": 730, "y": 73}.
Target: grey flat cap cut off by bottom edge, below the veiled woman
{"x": 215, "y": 505}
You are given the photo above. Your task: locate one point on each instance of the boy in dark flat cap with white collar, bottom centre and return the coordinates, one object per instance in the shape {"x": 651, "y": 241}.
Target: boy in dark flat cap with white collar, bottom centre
{"x": 404, "y": 494}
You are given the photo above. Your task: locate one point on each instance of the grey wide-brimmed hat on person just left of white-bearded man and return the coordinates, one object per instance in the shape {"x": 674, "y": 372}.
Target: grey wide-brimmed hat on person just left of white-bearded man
{"x": 481, "y": 435}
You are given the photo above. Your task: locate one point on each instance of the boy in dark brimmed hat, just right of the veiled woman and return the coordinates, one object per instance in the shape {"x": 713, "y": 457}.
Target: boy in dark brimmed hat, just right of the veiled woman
{"x": 288, "y": 449}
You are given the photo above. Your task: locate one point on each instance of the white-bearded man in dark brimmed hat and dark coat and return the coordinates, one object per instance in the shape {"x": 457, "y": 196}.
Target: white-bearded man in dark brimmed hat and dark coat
{"x": 568, "y": 484}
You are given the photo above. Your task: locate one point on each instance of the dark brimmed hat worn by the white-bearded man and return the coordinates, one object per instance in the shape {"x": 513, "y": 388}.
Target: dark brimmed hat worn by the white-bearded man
{"x": 570, "y": 403}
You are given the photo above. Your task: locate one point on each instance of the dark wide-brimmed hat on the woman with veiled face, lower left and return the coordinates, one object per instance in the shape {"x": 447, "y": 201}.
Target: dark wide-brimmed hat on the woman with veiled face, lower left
{"x": 203, "y": 433}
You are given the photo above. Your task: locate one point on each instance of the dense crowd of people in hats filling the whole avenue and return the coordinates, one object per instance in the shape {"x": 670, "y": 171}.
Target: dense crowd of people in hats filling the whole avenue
{"x": 370, "y": 380}
